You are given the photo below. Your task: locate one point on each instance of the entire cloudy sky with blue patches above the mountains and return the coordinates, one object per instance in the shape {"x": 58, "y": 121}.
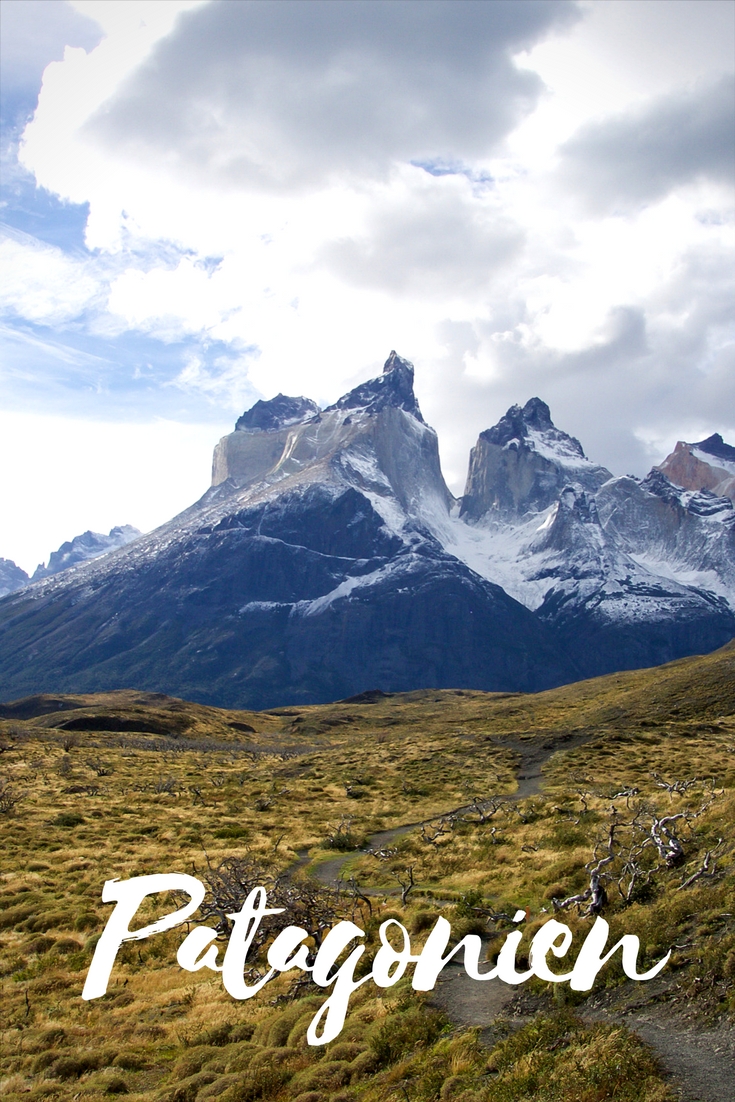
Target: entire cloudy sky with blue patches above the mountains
{"x": 206, "y": 202}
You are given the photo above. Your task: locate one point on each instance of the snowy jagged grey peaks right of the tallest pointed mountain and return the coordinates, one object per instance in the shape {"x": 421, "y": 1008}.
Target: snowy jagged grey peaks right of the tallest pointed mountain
{"x": 625, "y": 574}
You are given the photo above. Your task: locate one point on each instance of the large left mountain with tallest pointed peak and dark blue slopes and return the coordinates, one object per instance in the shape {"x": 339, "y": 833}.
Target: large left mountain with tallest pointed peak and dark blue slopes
{"x": 317, "y": 577}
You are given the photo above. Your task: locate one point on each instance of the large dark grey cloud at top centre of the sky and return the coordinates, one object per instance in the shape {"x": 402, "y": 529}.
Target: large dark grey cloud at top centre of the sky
{"x": 291, "y": 94}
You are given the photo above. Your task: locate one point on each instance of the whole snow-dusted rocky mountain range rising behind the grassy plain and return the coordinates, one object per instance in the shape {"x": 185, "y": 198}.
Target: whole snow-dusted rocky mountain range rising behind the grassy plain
{"x": 329, "y": 559}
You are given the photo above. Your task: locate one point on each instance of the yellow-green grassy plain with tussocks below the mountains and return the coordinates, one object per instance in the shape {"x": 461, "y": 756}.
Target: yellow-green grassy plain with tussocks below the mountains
{"x": 120, "y": 785}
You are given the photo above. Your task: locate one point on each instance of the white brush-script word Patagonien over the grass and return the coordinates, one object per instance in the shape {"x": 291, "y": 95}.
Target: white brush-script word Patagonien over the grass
{"x": 289, "y": 950}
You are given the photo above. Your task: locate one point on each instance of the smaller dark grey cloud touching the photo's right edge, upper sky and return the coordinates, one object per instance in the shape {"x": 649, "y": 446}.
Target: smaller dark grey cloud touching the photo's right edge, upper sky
{"x": 632, "y": 160}
